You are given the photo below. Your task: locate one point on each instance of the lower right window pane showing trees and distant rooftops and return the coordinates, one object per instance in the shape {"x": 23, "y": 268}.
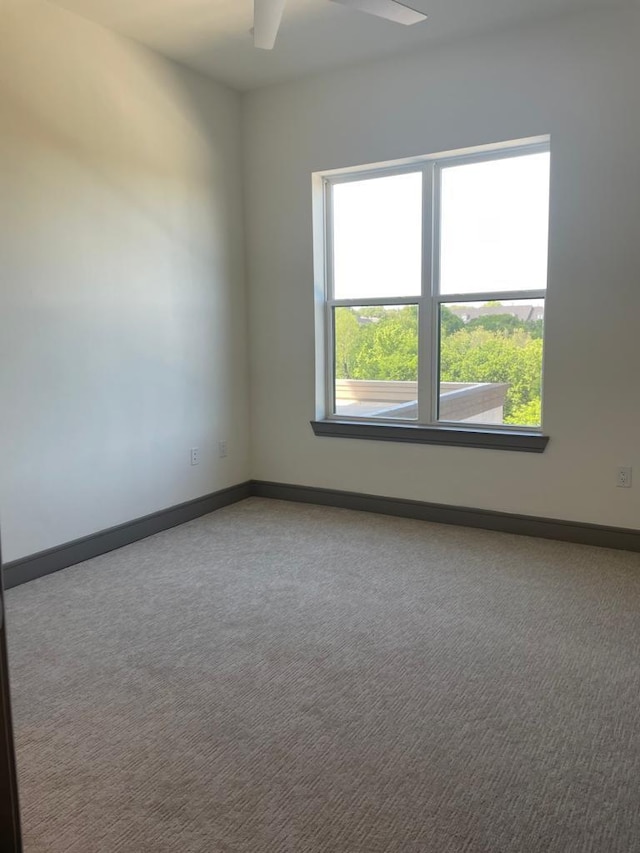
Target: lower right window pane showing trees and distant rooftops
{"x": 491, "y": 362}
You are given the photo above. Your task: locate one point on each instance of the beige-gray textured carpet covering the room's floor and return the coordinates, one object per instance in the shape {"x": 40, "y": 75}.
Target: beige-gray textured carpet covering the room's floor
{"x": 279, "y": 678}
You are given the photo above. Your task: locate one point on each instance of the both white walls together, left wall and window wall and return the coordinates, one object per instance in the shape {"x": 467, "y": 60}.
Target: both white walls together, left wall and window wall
{"x": 122, "y": 309}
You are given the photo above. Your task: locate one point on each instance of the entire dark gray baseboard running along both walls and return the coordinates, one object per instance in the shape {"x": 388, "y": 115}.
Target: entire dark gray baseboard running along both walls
{"x": 46, "y": 562}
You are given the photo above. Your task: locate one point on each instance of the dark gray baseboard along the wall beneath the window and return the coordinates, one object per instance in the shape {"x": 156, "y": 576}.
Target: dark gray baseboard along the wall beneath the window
{"x": 620, "y": 538}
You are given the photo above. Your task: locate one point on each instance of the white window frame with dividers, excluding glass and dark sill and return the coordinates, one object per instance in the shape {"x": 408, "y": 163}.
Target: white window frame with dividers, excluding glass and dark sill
{"x": 429, "y": 299}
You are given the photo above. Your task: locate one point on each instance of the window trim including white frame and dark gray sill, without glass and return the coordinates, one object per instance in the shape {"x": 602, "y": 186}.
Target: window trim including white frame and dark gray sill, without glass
{"x": 427, "y": 428}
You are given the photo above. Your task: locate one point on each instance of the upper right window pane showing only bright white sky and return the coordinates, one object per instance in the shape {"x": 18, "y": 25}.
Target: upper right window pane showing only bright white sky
{"x": 494, "y": 225}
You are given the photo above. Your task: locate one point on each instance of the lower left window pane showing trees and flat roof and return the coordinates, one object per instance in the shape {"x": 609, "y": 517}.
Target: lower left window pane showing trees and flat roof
{"x": 376, "y": 361}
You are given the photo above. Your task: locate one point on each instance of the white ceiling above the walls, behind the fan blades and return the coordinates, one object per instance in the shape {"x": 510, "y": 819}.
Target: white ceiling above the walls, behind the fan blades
{"x": 212, "y": 36}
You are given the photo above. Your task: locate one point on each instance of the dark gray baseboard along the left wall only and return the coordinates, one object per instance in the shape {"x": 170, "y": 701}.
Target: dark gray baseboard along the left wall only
{"x": 54, "y": 559}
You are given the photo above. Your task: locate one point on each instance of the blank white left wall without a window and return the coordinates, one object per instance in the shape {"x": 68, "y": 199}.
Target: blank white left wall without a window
{"x": 122, "y": 311}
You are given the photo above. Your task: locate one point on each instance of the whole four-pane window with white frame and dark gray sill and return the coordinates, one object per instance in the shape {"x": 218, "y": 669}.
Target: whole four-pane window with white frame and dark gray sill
{"x": 433, "y": 310}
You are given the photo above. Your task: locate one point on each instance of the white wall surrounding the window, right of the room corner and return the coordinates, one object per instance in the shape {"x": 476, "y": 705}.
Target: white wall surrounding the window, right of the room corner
{"x": 575, "y": 78}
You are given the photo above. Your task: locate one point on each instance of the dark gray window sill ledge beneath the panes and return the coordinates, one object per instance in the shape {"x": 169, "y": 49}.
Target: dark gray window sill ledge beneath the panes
{"x": 522, "y": 440}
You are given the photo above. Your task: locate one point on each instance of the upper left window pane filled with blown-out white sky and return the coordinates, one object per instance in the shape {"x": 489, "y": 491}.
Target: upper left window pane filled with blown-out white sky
{"x": 377, "y": 240}
